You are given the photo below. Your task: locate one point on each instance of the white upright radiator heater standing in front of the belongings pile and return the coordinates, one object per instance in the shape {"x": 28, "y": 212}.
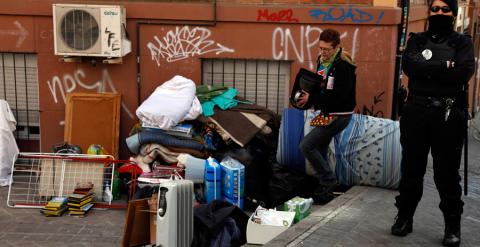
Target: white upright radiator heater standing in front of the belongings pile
{"x": 175, "y": 214}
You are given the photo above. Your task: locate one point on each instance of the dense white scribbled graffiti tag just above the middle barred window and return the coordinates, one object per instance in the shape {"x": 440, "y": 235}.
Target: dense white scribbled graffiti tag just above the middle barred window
{"x": 184, "y": 42}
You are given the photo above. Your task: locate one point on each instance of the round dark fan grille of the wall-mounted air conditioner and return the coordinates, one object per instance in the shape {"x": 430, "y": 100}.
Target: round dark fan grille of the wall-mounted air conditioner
{"x": 79, "y": 29}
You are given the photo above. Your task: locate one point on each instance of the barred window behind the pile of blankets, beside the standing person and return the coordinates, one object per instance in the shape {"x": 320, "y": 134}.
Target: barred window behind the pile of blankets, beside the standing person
{"x": 264, "y": 82}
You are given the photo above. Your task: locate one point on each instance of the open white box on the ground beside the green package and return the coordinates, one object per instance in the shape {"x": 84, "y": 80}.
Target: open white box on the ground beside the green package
{"x": 261, "y": 234}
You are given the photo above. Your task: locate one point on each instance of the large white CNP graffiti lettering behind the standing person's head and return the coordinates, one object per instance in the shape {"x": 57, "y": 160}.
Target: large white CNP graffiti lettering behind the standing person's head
{"x": 301, "y": 46}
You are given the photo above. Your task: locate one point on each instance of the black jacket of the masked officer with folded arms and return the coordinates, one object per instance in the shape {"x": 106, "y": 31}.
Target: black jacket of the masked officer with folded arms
{"x": 432, "y": 77}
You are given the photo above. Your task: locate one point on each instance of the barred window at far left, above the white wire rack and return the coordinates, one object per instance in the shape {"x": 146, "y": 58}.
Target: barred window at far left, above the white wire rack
{"x": 19, "y": 87}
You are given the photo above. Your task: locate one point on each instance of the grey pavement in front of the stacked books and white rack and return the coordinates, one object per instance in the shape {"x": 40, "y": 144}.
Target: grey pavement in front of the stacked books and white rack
{"x": 28, "y": 227}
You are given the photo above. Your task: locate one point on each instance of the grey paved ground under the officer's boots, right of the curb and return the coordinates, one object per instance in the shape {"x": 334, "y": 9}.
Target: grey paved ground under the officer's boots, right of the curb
{"x": 362, "y": 217}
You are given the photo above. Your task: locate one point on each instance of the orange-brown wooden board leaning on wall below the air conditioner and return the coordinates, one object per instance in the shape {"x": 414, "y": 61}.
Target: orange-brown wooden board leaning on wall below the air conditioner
{"x": 93, "y": 118}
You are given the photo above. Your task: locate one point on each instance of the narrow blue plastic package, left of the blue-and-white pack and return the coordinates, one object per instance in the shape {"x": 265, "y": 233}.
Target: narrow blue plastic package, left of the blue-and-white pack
{"x": 213, "y": 180}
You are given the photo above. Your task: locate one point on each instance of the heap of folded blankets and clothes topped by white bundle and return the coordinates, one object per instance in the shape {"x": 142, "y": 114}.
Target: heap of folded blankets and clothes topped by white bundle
{"x": 205, "y": 119}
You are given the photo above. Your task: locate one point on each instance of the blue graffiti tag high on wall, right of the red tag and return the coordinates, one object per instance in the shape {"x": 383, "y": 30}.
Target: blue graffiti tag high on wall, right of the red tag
{"x": 342, "y": 14}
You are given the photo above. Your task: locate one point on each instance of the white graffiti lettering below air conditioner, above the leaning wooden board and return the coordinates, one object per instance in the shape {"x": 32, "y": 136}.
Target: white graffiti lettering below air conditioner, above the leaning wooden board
{"x": 69, "y": 82}
